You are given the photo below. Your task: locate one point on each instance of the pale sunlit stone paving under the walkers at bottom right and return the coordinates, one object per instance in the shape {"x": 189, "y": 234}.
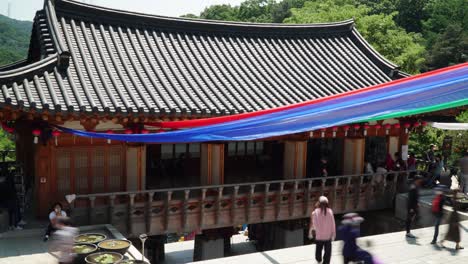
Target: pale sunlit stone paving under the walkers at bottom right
{"x": 389, "y": 248}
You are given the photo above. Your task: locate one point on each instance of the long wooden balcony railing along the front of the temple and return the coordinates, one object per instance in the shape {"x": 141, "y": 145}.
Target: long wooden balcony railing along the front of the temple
{"x": 205, "y": 207}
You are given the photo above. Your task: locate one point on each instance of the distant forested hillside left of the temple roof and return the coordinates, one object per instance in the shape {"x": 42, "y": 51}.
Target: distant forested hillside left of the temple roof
{"x": 14, "y": 39}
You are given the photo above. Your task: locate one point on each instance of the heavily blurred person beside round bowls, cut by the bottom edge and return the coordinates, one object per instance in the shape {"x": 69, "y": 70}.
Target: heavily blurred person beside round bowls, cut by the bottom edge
{"x": 62, "y": 240}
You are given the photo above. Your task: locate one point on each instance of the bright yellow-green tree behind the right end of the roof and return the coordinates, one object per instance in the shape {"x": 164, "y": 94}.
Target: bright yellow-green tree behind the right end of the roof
{"x": 381, "y": 31}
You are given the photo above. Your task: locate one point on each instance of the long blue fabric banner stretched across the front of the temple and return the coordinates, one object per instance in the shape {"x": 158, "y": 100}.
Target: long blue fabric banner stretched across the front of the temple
{"x": 441, "y": 88}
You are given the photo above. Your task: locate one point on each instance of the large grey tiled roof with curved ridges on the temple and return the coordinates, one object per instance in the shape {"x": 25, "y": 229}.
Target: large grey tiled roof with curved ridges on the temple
{"x": 94, "y": 59}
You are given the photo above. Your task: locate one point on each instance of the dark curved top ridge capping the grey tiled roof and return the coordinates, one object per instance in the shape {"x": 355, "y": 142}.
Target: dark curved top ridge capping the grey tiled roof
{"x": 73, "y": 8}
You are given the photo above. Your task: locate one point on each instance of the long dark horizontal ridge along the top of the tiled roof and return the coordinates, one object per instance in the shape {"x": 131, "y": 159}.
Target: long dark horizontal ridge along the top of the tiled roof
{"x": 129, "y": 16}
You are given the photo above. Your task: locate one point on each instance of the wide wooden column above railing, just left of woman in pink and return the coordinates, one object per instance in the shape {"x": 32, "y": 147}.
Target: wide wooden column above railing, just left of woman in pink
{"x": 295, "y": 159}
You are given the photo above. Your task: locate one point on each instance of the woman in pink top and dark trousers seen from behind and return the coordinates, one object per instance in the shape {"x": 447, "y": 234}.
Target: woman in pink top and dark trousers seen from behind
{"x": 323, "y": 223}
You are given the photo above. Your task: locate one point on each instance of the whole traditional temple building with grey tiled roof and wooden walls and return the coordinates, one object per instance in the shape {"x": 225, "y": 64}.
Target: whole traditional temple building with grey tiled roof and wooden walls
{"x": 97, "y": 69}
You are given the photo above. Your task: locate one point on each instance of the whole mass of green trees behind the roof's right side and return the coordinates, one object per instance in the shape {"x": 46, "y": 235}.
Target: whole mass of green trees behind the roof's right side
{"x": 418, "y": 35}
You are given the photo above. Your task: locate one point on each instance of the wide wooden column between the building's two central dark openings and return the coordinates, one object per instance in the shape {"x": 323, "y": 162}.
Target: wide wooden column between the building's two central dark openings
{"x": 212, "y": 164}
